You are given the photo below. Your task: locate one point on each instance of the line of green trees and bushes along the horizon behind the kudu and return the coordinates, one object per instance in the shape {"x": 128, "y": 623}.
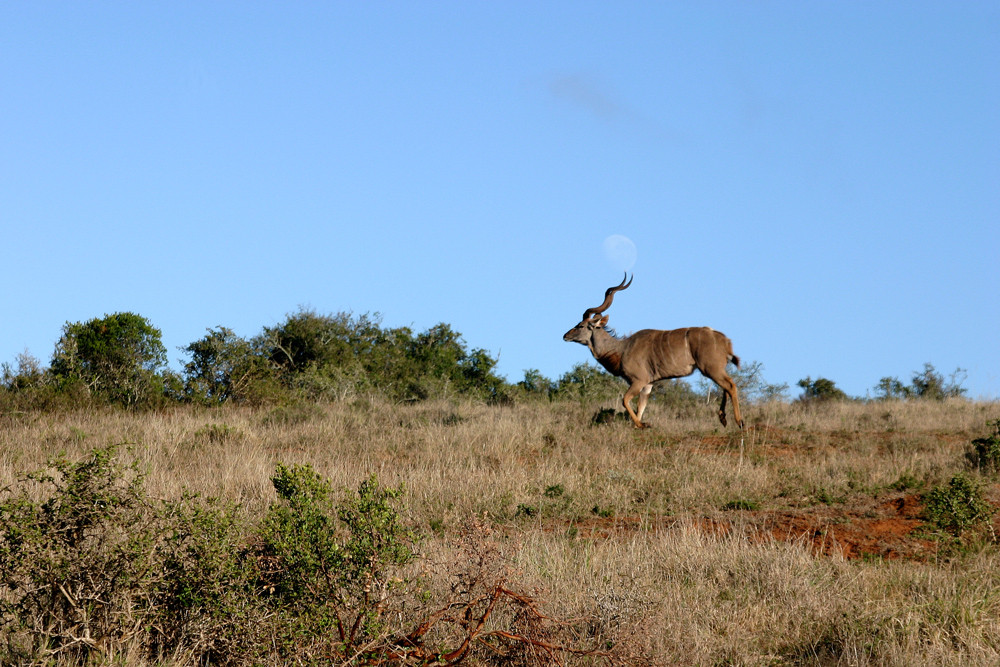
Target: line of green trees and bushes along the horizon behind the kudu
{"x": 120, "y": 359}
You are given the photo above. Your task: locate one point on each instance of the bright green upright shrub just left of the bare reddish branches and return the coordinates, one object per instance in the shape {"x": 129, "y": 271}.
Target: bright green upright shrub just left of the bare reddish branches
{"x": 331, "y": 568}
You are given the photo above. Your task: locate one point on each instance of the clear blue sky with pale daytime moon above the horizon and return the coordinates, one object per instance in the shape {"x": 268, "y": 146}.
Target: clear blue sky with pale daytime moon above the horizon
{"x": 818, "y": 180}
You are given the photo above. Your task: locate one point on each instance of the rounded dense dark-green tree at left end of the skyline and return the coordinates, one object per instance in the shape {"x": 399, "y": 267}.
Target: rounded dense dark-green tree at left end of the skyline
{"x": 118, "y": 357}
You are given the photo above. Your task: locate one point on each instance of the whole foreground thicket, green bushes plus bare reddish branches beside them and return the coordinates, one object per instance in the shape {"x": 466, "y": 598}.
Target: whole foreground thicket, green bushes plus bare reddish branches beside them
{"x": 92, "y": 569}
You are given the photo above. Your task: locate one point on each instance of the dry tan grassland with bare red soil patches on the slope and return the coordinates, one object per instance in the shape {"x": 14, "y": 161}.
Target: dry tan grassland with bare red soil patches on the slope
{"x": 801, "y": 541}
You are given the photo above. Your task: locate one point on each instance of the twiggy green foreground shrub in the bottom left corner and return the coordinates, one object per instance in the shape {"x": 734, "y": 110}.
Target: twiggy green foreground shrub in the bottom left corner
{"x": 76, "y": 555}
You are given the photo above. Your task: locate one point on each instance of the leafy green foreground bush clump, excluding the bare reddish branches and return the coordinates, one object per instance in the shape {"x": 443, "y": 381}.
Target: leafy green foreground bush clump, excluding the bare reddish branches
{"x": 89, "y": 564}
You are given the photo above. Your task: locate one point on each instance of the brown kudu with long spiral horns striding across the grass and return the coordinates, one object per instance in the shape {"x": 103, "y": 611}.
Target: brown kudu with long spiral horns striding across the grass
{"x": 654, "y": 354}
